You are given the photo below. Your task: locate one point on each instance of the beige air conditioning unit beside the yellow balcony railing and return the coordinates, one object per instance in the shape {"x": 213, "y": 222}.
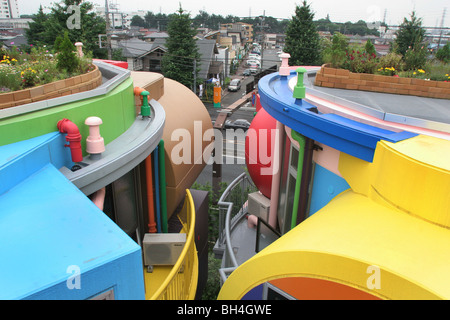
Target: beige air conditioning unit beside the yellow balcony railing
{"x": 162, "y": 248}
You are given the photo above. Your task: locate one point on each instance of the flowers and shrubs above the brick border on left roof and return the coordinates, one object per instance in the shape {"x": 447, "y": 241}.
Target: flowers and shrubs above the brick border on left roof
{"x": 22, "y": 70}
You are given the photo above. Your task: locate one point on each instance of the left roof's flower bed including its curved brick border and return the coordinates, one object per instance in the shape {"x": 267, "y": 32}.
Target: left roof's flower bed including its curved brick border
{"x": 40, "y": 75}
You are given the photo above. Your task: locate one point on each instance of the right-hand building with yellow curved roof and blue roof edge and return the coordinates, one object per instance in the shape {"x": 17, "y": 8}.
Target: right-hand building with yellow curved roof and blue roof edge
{"x": 351, "y": 205}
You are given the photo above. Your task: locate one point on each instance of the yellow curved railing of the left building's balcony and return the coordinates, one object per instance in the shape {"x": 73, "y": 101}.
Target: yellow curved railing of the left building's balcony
{"x": 181, "y": 283}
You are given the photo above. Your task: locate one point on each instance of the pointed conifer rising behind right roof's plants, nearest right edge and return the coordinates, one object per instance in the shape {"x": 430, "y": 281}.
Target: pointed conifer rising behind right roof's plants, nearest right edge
{"x": 410, "y": 35}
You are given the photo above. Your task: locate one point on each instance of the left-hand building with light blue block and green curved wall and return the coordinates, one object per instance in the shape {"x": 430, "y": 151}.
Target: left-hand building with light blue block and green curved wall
{"x": 91, "y": 204}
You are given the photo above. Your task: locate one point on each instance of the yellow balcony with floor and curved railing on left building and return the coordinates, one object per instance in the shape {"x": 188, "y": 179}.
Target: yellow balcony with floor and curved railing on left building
{"x": 177, "y": 282}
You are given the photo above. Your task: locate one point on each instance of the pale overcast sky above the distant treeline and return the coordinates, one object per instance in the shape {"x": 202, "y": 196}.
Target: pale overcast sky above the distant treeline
{"x": 431, "y": 11}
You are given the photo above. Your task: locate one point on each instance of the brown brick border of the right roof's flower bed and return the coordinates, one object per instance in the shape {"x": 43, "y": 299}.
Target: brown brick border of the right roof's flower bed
{"x": 344, "y": 79}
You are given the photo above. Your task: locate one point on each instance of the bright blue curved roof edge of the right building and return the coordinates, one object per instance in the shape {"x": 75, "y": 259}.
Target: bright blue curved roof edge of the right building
{"x": 347, "y": 135}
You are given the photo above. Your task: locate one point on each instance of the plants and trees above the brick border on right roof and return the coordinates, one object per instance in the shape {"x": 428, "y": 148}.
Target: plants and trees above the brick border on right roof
{"x": 409, "y": 56}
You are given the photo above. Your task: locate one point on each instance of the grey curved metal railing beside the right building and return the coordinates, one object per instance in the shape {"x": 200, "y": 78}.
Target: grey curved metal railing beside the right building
{"x": 232, "y": 208}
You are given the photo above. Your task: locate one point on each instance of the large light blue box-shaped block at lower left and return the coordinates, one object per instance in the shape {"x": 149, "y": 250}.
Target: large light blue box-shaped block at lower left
{"x": 49, "y": 231}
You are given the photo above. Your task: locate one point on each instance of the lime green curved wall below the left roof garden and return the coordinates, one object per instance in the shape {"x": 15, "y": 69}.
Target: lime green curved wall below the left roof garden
{"x": 116, "y": 109}
